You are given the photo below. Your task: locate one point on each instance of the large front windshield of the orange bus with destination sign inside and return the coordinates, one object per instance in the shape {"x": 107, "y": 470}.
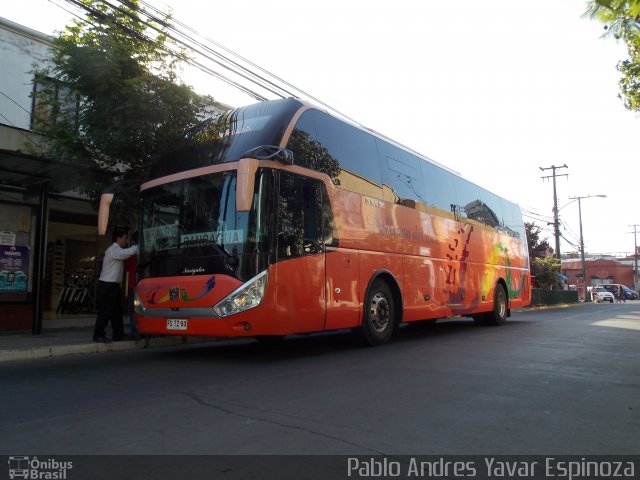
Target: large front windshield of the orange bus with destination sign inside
{"x": 191, "y": 227}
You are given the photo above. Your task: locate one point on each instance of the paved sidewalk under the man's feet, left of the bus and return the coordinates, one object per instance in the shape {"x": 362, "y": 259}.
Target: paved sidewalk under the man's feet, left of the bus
{"x": 73, "y": 335}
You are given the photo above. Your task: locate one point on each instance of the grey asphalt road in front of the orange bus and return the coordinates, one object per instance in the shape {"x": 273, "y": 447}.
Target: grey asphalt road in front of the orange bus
{"x": 556, "y": 381}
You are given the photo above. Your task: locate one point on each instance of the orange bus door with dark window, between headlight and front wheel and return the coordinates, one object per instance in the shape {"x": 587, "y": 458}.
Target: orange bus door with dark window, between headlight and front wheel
{"x": 300, "y": 266}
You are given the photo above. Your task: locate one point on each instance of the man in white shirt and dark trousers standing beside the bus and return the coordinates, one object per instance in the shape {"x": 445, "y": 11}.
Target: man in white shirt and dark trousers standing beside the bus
{"x": 108, "y": 294}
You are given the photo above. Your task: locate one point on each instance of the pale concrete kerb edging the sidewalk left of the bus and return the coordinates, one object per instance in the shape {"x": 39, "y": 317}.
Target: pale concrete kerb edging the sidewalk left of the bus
{"x": 13, "y": 355}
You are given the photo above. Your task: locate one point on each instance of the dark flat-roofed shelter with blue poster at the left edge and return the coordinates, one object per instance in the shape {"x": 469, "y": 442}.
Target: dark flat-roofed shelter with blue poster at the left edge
{"x": 27, "y": 183}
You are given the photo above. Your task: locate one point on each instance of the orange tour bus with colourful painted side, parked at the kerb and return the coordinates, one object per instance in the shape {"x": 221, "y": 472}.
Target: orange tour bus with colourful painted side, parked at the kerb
{"x": 288, "y": 220}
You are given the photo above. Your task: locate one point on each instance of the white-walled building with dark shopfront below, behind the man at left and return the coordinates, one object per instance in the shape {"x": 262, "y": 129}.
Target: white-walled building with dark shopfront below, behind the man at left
{"x": 49, "y": 247}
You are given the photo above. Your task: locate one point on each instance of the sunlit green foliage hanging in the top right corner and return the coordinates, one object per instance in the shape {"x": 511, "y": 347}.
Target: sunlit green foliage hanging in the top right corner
{"x": 621, "y": 20}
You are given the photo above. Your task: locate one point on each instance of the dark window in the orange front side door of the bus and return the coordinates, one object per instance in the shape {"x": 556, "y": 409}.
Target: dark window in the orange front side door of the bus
{"x": 300, "y": 216}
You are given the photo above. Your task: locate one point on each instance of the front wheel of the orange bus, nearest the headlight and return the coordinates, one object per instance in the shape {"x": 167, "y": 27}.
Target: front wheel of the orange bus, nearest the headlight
{"x": 379, "y": 315}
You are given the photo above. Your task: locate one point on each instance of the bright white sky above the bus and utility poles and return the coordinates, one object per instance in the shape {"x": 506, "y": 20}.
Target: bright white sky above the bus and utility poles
{"x": 493, "y": 90}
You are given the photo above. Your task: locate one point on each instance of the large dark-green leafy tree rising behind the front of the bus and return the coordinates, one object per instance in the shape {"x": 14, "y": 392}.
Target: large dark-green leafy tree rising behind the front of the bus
{"x": 120, "y": 65}
